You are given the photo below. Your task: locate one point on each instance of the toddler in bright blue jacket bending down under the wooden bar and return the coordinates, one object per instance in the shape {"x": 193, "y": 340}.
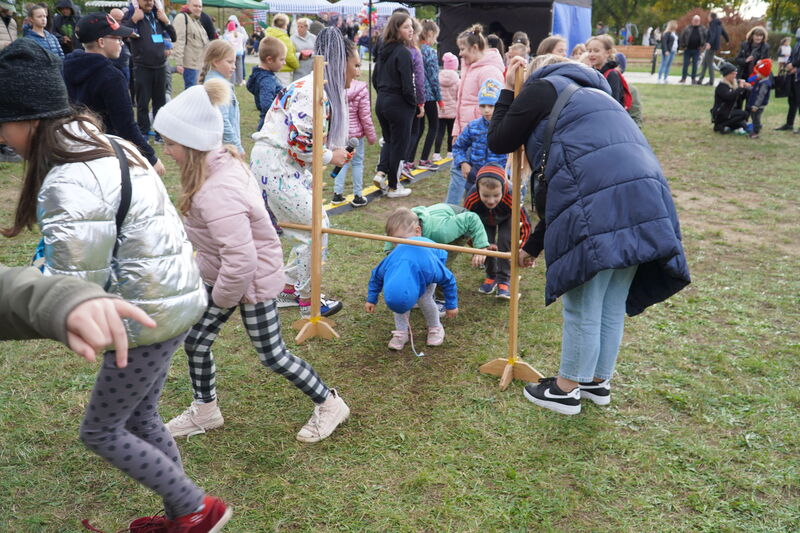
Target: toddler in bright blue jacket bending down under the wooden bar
{"x": 408, "y": 276}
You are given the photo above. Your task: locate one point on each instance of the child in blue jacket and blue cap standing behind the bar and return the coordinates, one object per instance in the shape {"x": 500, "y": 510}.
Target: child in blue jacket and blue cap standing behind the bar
{"x": 470, "y": 151}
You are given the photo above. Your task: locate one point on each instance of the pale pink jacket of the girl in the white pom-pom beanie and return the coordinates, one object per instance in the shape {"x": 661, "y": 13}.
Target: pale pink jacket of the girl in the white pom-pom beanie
{"x": 238, "y": 250}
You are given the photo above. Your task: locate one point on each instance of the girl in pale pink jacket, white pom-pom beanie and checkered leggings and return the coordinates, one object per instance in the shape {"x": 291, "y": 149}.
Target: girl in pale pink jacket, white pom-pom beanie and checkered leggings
{"x": 240, "y": 260}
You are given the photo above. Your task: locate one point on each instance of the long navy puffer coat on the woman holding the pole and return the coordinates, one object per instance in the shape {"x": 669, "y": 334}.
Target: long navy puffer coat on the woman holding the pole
{"x": 608, "y": 204}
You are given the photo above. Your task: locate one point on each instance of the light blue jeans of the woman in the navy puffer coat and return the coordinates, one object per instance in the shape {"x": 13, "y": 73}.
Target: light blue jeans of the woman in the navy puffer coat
{"x": 594, "y": 317}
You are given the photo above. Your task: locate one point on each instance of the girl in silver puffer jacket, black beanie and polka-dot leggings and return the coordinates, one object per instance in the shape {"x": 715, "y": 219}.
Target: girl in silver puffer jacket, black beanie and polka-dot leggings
{"x": 136, "y": 250}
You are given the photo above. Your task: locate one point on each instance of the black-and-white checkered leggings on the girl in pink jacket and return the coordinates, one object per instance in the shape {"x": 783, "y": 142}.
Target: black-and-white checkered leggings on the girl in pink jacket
{"x": 263, "y": 325}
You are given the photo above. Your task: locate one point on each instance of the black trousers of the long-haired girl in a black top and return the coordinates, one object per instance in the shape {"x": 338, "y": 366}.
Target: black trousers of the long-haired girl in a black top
{"x": 395, "y": 117}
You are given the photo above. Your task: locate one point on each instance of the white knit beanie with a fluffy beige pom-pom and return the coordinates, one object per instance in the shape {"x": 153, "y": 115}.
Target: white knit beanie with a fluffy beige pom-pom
{"x": 192, "y": 118}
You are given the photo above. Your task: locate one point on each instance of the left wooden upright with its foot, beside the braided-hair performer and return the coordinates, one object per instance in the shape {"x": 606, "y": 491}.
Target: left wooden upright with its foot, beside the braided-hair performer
{"x": 315, "y": 325}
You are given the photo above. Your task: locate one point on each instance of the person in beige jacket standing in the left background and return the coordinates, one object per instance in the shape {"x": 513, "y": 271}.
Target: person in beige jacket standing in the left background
{"x": 190, "y": 44}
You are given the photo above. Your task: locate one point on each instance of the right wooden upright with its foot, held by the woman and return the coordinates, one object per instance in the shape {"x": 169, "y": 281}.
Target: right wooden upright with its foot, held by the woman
{"x": 512, "y": 367}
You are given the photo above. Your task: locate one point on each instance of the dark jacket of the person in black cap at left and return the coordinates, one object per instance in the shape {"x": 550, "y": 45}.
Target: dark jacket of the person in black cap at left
{"x": 93, "y": 81}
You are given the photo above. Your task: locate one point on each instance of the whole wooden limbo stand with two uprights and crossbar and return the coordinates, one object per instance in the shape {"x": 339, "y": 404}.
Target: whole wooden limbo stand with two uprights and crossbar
{"x": 508, "y": 368}
